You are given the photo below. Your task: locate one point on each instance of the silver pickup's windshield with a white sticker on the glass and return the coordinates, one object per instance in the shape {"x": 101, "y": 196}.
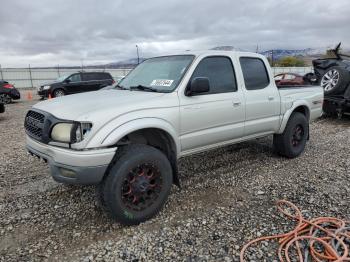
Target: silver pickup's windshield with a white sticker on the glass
{"x": 161, "y": 74}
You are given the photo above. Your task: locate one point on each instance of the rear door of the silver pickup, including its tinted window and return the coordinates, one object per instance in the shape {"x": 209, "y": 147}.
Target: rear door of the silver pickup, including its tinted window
{"x": 261, "y": 96}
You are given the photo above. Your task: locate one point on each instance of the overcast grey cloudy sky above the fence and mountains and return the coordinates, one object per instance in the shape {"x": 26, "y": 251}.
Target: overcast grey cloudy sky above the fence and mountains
{"x": 66, "y": 32}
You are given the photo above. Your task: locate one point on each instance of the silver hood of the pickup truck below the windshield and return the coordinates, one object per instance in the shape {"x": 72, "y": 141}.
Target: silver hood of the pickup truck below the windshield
{"x": 74, "y": 107}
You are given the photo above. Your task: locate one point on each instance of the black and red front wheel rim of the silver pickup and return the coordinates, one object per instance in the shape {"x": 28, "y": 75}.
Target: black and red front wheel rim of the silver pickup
{"x": 141, "y": 187}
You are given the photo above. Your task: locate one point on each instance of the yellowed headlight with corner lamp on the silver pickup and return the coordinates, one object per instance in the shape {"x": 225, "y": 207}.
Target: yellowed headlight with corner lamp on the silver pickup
{"x": 70, "y": 132}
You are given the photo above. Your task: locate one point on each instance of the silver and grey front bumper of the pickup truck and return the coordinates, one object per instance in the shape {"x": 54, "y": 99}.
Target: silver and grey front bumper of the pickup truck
{"x": 70, "y": 166}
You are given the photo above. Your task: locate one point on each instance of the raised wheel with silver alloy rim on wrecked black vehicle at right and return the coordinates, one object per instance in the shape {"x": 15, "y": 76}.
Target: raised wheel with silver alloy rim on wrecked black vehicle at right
{"x": 335, "y": 80}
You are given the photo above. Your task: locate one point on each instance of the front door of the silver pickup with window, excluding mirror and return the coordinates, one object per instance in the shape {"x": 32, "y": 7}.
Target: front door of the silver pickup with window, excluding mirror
{"x": 216, "y": 116}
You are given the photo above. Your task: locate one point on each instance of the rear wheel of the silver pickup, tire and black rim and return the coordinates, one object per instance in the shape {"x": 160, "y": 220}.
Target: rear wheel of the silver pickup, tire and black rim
{"x": 291, "y": 143}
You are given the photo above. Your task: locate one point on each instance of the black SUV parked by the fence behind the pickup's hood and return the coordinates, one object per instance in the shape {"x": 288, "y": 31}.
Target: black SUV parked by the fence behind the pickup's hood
{"x": 76, "y": 83}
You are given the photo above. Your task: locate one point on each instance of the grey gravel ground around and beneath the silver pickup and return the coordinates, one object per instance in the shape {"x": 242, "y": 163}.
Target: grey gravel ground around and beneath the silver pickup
{"x": 228, "y": 197}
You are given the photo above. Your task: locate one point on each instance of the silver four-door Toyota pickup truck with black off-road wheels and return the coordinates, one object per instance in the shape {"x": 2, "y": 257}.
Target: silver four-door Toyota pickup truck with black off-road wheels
{"x": 127, "y": 140}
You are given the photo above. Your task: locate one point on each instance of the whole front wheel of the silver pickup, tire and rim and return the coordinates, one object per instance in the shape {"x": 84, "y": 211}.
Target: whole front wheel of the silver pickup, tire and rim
{"x": 137, "y": 185}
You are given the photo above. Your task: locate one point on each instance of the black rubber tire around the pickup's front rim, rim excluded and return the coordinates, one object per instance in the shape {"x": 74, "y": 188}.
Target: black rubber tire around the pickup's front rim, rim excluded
{"x": 127, "y": 159}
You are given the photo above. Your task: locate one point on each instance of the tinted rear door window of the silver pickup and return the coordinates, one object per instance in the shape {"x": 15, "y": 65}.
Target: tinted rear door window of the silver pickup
{"x": 254, "y": 73}
